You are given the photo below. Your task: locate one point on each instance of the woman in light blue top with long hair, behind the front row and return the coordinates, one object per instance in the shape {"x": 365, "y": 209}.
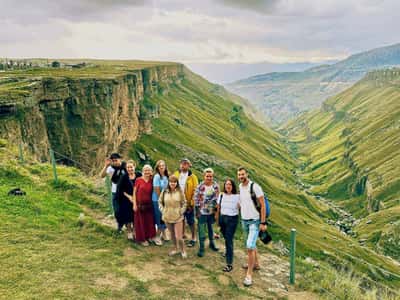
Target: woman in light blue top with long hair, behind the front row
{"x": 160, "y": 182}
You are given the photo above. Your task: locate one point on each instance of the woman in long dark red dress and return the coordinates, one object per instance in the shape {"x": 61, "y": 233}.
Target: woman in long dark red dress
{"x": 143, "y": 208}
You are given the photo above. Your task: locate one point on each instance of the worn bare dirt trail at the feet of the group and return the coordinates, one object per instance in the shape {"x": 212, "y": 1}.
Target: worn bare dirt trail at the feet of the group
{"x": 196, "y": 277}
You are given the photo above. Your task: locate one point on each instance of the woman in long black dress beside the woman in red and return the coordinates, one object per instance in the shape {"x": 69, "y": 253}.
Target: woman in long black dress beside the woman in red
{"x": 124, "y": 190}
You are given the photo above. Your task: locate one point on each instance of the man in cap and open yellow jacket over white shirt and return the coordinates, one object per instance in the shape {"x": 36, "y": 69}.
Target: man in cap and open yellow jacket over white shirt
{"x": 188, "y": 183}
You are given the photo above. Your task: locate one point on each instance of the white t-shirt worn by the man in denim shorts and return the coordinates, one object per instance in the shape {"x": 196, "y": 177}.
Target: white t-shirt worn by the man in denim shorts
{"x": 247, "y": 208}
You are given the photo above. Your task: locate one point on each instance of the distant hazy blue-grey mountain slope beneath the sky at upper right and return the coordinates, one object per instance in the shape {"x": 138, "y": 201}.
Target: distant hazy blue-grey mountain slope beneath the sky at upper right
{"x": 282, "y": 96}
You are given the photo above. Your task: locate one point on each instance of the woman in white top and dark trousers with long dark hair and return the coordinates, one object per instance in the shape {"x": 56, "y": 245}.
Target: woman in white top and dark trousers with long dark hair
{"x": 228, "y": 216}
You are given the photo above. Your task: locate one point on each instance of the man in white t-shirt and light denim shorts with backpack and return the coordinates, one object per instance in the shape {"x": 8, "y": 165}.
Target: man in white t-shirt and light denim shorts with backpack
{"x": 252, "y": 220}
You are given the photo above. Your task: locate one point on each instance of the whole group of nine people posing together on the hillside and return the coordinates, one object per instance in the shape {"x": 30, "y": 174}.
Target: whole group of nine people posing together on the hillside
{"x": 155, "y": 207}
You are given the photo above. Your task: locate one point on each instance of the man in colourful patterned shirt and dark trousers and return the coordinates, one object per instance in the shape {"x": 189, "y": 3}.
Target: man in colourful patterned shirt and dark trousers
{"x": 205, "y": 200}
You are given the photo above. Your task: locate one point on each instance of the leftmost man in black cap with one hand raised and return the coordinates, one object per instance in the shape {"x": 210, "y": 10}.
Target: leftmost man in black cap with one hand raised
{"x": 114, "y": 168}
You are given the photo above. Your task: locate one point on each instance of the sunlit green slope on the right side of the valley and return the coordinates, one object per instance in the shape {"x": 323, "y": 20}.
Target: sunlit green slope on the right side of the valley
{"x": 350, "y": 152}
